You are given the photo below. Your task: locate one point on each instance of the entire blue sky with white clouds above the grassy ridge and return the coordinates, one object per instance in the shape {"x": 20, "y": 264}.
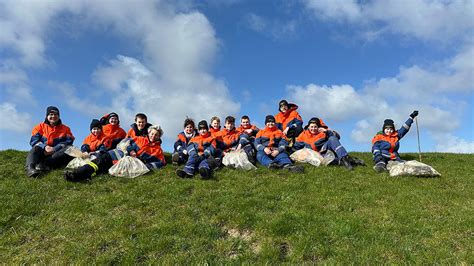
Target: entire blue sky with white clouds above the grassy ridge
{"x": 351, "y": 63}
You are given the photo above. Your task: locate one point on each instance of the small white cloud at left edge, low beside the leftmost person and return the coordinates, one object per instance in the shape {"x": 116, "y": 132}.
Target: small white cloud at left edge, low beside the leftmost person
{"x": 20, "y": 122}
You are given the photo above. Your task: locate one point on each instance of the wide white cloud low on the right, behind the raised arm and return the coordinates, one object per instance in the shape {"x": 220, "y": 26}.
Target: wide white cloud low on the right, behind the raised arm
{"x": 428, "y": 90}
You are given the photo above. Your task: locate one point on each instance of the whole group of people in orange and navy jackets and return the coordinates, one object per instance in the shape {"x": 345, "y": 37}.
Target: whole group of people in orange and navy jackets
{"x": 201, "y": 149}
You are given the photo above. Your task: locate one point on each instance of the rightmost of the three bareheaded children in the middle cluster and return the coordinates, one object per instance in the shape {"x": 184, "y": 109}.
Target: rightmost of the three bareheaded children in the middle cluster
{"x": 232, "y": 139}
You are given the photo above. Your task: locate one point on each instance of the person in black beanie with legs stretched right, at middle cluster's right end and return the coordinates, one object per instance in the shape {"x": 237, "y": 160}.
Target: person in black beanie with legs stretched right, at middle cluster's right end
{"x": 318, "y": 137}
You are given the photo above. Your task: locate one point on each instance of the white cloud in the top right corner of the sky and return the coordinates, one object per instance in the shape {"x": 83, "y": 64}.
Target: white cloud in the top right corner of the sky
{"x": 437, "y": 20}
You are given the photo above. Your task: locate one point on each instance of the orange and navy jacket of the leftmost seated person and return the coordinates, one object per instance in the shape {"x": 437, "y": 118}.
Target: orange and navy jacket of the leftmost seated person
{"x": 57, "y": 136}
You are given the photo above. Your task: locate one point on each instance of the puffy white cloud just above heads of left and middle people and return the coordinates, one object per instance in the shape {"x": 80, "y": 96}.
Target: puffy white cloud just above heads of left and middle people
{"x": 164, "y": 102}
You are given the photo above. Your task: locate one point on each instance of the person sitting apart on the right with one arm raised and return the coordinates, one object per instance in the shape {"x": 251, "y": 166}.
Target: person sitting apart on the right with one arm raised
{"x": 386, "y": 143}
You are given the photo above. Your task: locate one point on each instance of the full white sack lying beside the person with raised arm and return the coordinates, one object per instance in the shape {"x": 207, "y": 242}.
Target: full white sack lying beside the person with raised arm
{"x": 412, "y": 168}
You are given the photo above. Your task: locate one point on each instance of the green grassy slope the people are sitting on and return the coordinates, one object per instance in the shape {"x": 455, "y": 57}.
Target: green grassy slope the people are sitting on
{"x": 327, "y": 215}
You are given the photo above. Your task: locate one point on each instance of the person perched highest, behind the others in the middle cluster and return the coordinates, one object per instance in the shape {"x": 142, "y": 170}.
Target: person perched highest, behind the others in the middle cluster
{"x": 289, "y": 121}
